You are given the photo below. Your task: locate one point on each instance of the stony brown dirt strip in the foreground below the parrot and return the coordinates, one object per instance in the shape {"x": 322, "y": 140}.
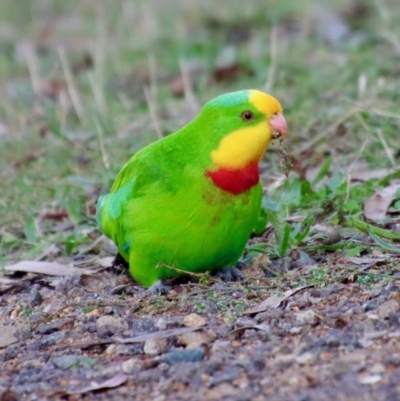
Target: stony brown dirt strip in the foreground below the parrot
{"x": 75, "y": 338}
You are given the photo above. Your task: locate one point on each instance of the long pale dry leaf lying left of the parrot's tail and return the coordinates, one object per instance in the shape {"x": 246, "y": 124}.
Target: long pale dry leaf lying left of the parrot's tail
{"x": 50, "y": 268}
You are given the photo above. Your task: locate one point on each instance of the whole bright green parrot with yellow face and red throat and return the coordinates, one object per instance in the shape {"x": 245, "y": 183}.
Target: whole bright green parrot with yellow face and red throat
{"x": 191, "y": 200}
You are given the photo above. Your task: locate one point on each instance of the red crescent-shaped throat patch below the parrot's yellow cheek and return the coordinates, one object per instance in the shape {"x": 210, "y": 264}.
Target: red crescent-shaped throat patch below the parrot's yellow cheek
{"x": 235, "y": 181}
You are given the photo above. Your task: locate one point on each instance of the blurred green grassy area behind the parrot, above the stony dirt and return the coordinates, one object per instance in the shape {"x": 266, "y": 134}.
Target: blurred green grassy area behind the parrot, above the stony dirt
{"x": 84, "y": 84}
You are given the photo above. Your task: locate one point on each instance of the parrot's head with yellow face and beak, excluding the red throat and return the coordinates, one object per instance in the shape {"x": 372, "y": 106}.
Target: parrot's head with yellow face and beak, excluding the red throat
{"x": 245, "y": 122}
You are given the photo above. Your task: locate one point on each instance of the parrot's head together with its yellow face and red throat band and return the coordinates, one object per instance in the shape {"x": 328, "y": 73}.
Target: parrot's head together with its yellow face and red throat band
{"x": 242, "y": 125}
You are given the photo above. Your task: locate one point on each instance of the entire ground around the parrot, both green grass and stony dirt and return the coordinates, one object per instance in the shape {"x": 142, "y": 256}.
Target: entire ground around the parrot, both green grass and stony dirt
{"x": 84, "y": 85}
